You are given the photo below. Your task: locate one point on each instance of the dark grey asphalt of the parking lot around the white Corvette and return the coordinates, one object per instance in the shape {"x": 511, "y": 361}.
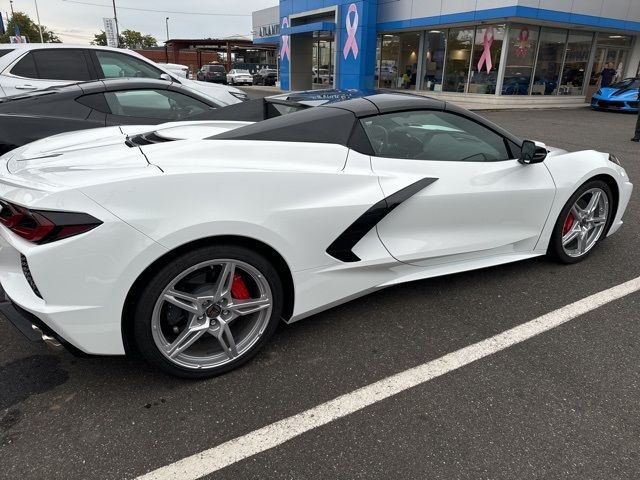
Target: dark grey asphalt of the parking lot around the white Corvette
{"x": 564, "y": 404}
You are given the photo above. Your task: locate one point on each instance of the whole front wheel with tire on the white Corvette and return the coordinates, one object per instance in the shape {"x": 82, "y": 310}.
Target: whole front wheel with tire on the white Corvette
{"x": 583, "y": 222}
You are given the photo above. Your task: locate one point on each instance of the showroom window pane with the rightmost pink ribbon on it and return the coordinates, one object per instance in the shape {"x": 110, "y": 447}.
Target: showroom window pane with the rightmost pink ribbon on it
{"x": 521, "y": 56}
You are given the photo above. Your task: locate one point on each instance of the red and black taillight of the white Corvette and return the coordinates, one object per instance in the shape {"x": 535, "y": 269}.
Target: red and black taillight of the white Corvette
{"x": 44, "y": 226}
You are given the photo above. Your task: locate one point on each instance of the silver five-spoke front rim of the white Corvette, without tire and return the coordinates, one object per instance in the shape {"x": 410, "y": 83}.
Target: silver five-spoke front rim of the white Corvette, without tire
{"x": 585, "y": 222}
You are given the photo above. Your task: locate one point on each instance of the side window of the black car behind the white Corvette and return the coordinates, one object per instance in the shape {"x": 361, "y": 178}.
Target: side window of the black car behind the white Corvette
{"x": 157, "y": 104}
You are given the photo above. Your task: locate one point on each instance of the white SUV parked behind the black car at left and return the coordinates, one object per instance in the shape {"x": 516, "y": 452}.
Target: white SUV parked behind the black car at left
{"x": 35, "y": 66}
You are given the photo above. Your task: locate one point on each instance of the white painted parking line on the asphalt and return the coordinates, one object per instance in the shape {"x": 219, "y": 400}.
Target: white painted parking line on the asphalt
{"x": 277, "y": 433}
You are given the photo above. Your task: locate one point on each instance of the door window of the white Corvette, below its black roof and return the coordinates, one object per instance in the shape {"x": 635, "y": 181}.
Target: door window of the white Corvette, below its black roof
{"x": 434, "y": 135}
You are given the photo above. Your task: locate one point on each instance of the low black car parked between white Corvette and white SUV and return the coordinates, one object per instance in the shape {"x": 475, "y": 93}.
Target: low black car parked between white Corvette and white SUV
{"x": 31, "y": 116}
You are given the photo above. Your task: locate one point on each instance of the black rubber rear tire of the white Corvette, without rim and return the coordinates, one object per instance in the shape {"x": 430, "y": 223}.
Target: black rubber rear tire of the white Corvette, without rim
{"x": 155, "y": 287}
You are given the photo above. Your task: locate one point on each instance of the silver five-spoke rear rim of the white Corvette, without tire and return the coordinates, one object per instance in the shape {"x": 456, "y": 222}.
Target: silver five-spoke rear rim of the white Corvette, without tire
{"x": 197, "y": 323}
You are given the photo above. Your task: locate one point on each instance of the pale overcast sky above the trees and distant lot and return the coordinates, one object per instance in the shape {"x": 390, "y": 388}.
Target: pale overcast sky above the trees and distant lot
{"x": 76, "y": 21}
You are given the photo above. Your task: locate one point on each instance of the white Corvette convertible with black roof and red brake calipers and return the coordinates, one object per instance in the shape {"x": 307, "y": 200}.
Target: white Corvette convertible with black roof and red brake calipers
{"x": 190, "y": 242}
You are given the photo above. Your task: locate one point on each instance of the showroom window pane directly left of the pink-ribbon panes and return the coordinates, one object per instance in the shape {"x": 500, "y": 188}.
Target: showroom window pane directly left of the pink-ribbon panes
{"x": 459, "y": 43}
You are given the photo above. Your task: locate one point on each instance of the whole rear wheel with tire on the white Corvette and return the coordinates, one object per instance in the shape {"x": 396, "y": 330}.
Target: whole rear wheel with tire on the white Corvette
{"x": 208, "y": 311}
